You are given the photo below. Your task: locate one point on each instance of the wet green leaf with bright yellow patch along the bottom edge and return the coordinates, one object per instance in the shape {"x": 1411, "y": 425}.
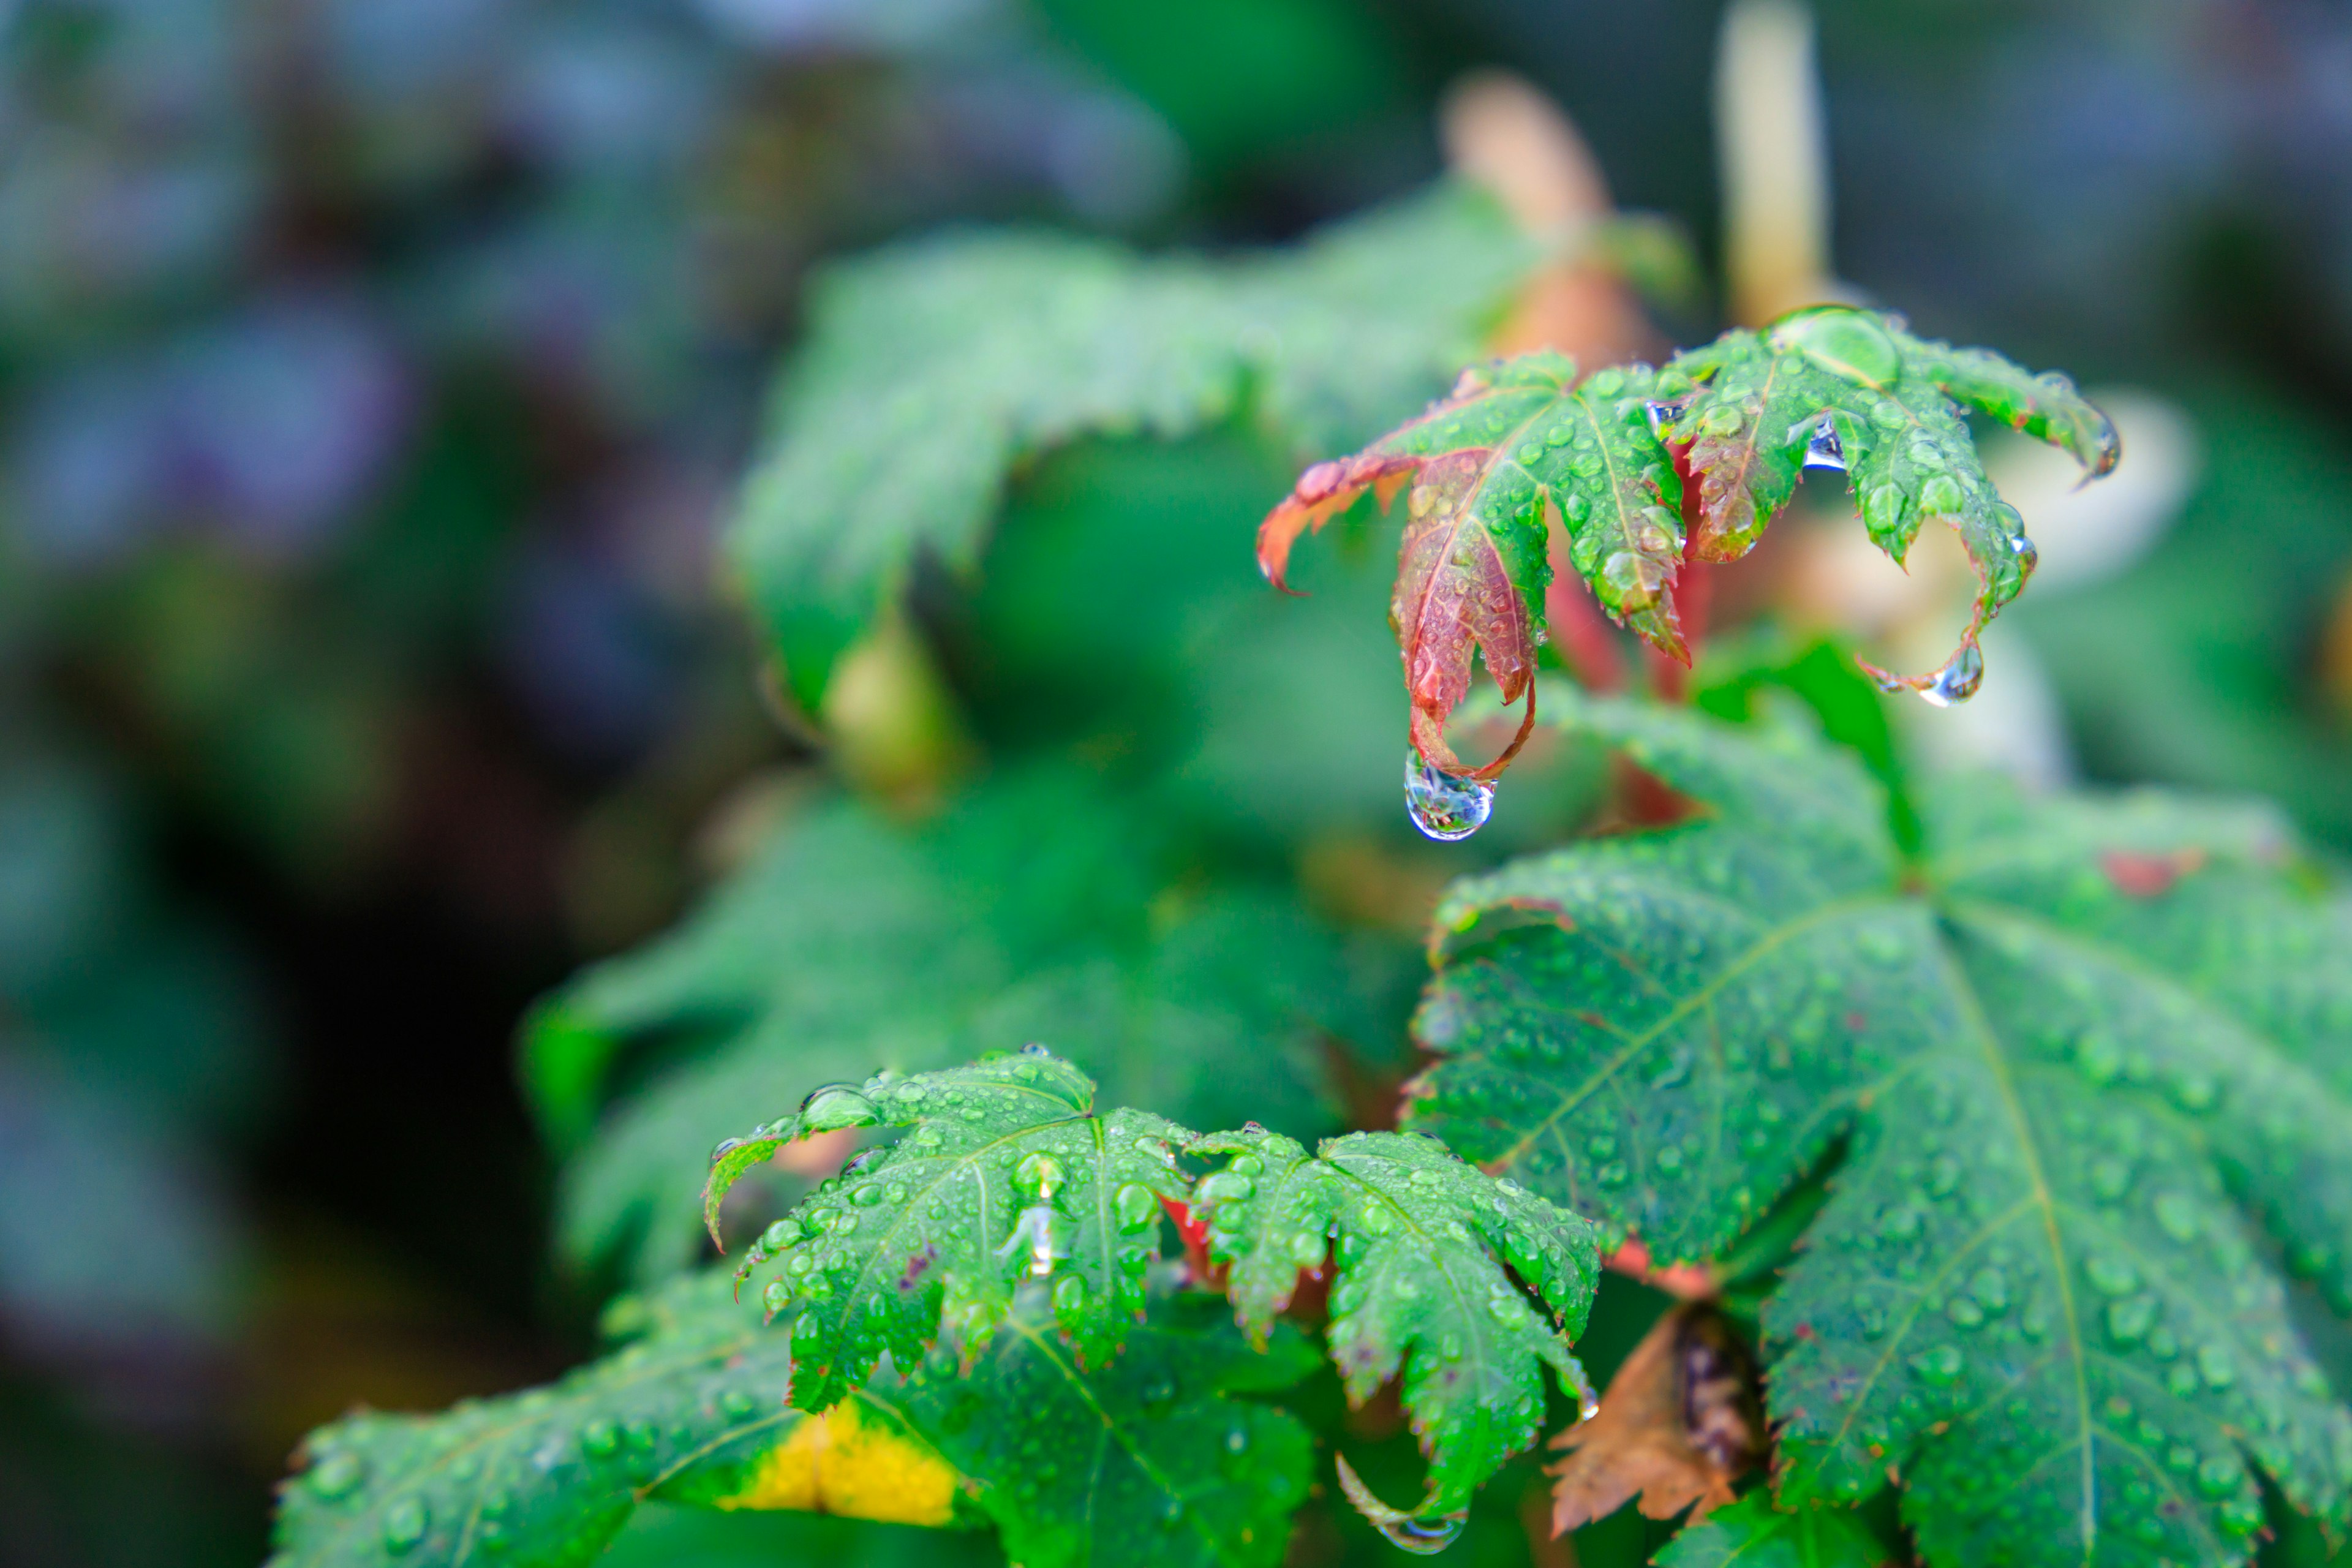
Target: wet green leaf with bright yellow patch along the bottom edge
{"x": 695, "y": 1414}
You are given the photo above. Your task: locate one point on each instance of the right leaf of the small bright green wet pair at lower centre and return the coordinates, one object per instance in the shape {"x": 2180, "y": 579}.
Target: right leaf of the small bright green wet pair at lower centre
{"x": 1422, "y": 1247}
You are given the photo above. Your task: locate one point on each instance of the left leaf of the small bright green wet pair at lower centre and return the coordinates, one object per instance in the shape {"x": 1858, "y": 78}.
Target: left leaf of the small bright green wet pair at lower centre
{"x": 1005, "y": 1177}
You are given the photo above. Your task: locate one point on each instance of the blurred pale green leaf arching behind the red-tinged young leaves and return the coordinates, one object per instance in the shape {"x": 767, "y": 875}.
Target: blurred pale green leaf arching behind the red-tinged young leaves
{"x": 935, "y": 368}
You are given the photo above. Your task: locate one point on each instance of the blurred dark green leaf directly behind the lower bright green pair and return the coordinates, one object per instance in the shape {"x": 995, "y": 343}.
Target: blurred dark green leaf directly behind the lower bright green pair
{"x": 796, "y": 972}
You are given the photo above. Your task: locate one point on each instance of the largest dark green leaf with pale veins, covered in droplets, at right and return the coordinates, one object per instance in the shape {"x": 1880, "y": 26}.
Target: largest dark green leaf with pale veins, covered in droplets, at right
{"x": 2087, "y": 1061}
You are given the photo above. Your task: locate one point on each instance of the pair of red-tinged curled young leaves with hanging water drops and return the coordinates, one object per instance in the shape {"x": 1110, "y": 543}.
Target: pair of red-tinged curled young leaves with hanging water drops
{"x": 1523, "y": 443}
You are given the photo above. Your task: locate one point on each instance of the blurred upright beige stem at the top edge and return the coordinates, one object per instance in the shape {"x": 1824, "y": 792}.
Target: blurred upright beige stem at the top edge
{"x": 1775, "y": 156}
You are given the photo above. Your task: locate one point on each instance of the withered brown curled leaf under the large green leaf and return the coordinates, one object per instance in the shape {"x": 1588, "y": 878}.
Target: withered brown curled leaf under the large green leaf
{"x": 1676, "y": 1428}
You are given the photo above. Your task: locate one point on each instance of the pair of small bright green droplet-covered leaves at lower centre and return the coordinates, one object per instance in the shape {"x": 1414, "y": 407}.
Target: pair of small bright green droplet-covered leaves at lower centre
{"x": 1010, "y": 1179}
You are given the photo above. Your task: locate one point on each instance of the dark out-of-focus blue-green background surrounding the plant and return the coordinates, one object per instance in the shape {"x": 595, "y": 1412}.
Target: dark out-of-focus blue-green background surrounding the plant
{"x": 375, "y": 377}
